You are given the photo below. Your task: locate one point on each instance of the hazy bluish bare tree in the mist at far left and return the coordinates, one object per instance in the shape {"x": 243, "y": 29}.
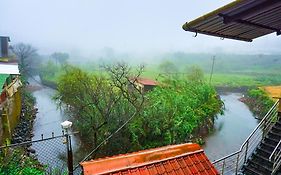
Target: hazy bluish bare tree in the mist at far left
{"x": 27, "y": 57}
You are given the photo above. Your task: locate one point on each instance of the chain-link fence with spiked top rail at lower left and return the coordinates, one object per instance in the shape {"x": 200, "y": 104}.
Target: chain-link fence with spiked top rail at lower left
{"x": 51, "y": 153}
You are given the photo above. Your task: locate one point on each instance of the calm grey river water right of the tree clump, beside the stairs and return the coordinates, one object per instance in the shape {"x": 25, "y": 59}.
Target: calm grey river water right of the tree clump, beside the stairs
{"x": 231, "y": 129}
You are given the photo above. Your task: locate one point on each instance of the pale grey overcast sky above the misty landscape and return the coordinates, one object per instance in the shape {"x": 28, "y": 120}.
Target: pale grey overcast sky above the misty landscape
{"x": 124, "y": 25}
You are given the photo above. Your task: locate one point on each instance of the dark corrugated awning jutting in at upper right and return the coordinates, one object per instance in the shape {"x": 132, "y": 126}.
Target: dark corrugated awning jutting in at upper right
{"x": 240, "y": 20}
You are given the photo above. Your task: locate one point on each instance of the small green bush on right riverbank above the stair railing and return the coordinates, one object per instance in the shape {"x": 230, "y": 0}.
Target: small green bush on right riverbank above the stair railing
{"x": 259, "y": 102}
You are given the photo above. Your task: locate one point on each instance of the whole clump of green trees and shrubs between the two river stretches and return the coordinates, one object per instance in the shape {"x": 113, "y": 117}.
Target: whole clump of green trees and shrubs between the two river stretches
{"x": 99, "y": 104}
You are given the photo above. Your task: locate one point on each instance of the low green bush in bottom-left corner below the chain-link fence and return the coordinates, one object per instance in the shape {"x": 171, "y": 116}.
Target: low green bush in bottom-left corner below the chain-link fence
{"x": 15, "y": 162}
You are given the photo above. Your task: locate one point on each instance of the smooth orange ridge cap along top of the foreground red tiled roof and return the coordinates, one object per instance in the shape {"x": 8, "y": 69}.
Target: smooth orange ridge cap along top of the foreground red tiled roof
{"x": 140, "y": 158}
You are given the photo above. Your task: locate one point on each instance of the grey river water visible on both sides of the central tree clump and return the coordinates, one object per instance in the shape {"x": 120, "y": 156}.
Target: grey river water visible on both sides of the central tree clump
{"x": 231, "y": 128}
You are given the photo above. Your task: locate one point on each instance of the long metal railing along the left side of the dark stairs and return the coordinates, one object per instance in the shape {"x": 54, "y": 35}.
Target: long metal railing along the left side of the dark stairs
{"x": 233, "y": 163}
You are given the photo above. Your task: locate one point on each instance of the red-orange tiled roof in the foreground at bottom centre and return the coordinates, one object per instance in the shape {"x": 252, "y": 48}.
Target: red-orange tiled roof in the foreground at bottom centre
{"x": 176, "y": 159}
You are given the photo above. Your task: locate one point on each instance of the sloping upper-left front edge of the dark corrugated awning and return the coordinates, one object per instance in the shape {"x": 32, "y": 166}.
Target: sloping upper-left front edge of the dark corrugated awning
{"x": 196, "y": 21}
